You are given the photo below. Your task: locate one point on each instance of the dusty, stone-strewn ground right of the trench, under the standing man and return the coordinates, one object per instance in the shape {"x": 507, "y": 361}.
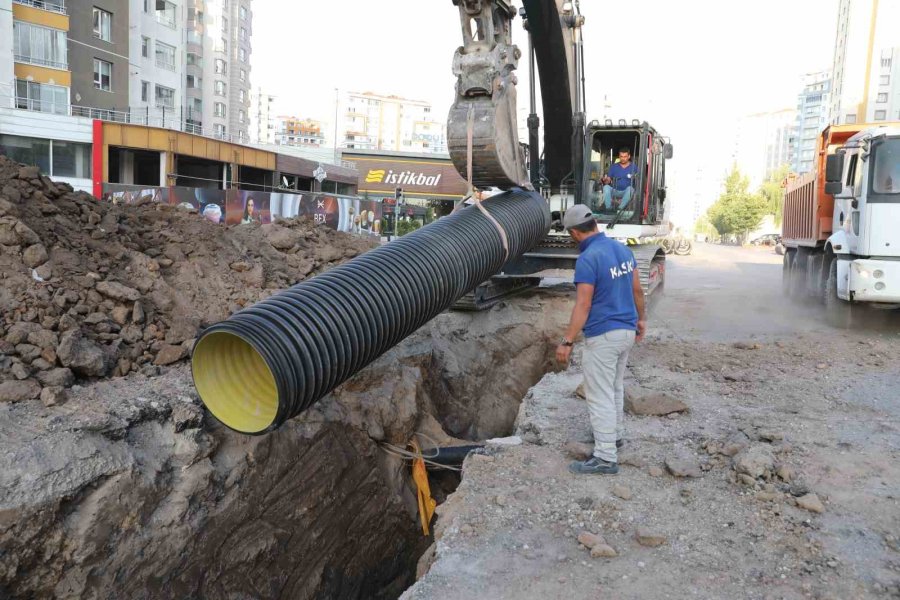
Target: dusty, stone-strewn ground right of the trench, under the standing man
{"x": 780, "y": 480}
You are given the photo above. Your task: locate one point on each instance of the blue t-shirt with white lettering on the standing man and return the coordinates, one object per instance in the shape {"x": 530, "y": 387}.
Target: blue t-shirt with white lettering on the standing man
{"x": 609, "y": 266}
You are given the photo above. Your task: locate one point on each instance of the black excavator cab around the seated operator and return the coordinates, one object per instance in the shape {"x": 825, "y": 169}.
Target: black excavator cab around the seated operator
{"x": 646, "y": 200}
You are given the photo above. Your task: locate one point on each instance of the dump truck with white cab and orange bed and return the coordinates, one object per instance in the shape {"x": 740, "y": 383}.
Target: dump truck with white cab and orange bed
{"x": 842, "y": 223}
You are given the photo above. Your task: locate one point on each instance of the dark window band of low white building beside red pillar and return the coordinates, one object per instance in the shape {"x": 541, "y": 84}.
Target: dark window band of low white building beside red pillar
{"x": 69, "y": 159}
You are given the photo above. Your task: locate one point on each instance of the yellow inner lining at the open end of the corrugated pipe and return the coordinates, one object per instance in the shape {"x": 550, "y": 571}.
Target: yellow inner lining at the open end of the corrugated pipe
{"x": 234, "y": 382}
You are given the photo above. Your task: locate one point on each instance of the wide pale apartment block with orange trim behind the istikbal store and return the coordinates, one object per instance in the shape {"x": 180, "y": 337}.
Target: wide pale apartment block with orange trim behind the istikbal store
{"x": 376, "y": 122}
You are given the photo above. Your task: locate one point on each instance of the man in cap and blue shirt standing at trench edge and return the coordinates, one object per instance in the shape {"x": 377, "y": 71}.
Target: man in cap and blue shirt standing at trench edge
{"x": 609, "y": 309}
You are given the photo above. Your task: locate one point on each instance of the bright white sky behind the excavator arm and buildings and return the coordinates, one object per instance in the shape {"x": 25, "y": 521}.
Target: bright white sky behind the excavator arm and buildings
{"x": 691, "y": 68}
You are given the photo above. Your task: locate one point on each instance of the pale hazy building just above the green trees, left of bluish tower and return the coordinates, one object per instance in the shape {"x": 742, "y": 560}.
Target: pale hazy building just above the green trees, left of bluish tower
{"x": 764, "y": 143}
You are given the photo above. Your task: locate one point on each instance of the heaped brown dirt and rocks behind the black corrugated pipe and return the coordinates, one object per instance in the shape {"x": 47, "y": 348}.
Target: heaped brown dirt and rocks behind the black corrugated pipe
{"x": 89, "y": 289}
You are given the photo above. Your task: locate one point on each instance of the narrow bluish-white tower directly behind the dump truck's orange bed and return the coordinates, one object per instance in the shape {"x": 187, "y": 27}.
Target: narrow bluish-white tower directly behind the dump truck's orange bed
{"x": 813, "y": 104}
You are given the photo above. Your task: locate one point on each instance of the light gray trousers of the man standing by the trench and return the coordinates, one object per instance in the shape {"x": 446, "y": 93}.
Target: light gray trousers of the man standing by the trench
{"x": 604, "y": 360}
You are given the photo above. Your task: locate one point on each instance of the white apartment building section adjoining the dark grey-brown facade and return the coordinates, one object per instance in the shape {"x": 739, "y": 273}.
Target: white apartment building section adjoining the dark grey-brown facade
{"x": 157, "y": 79}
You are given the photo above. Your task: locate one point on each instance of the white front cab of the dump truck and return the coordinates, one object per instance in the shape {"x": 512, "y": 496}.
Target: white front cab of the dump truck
{"x": 864, "y": 178}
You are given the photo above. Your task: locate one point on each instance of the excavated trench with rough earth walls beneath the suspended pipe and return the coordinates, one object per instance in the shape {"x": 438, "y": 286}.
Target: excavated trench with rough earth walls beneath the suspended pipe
{"x": 130, "y": 491}
